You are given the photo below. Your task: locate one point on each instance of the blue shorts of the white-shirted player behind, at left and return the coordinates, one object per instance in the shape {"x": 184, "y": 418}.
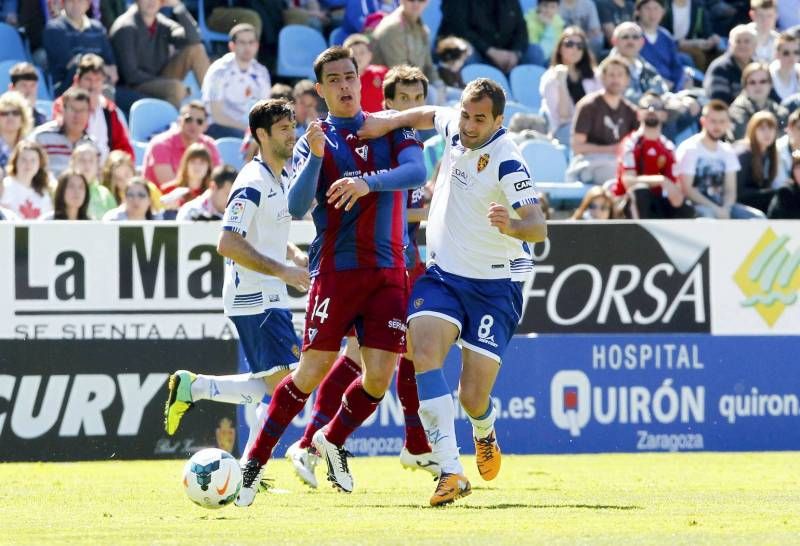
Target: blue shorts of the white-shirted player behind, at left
{"x": 268, "y": 340}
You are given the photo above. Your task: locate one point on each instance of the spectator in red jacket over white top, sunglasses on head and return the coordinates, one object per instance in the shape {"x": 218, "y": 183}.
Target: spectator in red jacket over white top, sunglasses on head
{"x": 105, "y": 122}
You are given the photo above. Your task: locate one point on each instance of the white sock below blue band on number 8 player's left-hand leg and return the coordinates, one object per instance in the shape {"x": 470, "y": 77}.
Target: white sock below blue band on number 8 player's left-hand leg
{"x": 438, "y": 417}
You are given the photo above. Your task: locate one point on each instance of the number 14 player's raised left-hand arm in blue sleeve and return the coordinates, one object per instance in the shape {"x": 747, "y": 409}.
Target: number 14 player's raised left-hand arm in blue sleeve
{"x": 308, "y": 155}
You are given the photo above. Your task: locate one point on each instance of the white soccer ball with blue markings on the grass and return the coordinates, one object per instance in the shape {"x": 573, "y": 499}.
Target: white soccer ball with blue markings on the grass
{"x": 212, "y": 478}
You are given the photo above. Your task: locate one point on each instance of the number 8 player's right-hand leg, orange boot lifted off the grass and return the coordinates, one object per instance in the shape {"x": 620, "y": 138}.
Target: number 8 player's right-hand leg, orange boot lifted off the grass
{"x": 478, "y": 375}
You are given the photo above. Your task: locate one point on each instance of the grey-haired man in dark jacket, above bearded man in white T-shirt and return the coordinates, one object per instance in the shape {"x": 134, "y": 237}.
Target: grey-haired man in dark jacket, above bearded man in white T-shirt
{"x": 723, "y": 79}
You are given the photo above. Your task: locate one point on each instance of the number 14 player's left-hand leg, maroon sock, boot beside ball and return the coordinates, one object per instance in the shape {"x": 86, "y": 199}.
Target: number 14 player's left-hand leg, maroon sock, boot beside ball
{"x": 287, "y": 401}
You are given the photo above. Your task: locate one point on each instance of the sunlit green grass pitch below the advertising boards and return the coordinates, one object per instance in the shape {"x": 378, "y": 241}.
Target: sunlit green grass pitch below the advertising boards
{"x": 678, "y": 498}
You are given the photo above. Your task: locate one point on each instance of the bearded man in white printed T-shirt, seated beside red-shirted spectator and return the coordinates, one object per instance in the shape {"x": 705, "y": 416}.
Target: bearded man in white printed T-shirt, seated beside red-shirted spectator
{"x": 707, "y": 167}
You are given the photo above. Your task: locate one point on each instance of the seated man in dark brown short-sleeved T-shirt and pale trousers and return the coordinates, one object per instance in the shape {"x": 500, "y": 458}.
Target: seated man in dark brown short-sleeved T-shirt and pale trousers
{"x": 602, "y": 119}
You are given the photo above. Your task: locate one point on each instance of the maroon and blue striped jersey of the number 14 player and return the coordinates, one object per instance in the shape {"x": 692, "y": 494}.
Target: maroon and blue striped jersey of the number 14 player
{"x": 373, "y": 233}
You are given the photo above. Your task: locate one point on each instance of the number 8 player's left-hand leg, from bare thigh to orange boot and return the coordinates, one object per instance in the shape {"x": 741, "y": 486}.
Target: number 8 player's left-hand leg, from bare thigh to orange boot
{"x": 431, "y": 338}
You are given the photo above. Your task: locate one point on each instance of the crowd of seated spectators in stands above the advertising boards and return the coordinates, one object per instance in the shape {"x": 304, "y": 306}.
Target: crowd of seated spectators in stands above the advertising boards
{"x": 662, "y": 109}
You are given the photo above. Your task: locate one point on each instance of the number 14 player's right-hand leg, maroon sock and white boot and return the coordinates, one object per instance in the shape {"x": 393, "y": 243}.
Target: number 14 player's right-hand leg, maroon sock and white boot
{"x": 360, "y": 400}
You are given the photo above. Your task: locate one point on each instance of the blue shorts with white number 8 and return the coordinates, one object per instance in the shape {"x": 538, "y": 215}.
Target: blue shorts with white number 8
{"x": 485, "y": 311}
